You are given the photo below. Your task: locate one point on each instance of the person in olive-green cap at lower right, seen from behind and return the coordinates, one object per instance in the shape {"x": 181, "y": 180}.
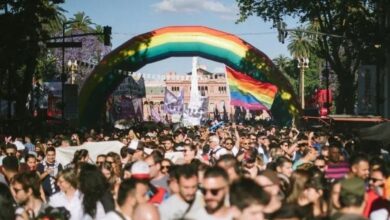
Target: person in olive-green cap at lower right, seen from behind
{"x": 352, "y": 199}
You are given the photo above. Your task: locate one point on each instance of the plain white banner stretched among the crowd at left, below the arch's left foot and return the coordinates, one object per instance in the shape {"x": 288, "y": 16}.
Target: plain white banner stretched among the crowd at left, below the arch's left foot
{"x": 64, "y": 155}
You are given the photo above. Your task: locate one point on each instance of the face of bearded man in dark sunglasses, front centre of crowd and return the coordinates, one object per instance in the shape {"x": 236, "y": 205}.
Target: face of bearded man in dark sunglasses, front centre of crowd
{"x": 214, "y": 190}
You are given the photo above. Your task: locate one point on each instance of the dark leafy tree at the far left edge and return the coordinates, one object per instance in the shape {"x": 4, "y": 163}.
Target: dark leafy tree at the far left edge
{"x": 24, "y": 30}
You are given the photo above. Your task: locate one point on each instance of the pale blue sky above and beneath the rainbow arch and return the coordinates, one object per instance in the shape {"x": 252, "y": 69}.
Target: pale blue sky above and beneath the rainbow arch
{"x": 129, "y": 18}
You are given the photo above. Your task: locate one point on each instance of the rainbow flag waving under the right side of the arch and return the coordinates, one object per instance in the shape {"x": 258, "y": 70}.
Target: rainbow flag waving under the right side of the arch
{"x": 248, "y": 92}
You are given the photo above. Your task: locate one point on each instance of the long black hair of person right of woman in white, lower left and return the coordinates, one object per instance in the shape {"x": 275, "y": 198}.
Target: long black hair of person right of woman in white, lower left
{"x": 93, "y": 185}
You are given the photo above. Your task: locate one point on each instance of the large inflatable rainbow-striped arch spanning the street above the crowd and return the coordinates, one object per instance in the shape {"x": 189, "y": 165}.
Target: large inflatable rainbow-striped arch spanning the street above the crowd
{"x": 177, "y": 41}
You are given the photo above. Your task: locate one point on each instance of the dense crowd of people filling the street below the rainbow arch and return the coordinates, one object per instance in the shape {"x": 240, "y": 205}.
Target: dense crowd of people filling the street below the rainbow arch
{"x": 227, "y": 172}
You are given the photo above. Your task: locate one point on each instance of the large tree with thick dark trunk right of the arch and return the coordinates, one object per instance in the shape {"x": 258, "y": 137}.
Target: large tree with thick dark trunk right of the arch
{"x": 354, "y": 20}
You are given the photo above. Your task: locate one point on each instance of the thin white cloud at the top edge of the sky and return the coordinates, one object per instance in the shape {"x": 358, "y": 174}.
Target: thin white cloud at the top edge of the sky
{"x": 214, "y": 6}
